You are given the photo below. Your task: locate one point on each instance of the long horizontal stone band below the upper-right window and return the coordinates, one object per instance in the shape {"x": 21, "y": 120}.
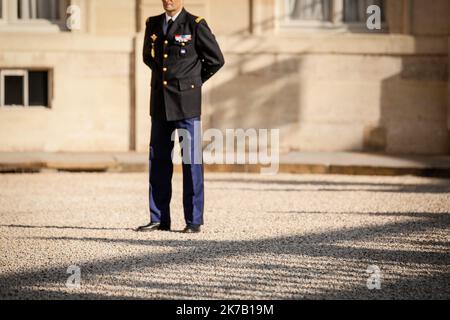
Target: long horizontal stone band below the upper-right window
{"x": 345, "y": 43}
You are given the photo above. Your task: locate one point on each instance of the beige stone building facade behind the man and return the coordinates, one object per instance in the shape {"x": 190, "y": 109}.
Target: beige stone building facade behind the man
{"x": 311, "y": 68}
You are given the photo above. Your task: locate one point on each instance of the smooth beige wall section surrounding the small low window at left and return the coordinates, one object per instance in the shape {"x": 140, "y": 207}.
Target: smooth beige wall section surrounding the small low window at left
{"x": 90, "y": 103}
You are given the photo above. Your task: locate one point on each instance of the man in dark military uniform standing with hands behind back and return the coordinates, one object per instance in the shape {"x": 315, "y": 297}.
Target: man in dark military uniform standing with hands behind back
{"x": 183, "y": 54}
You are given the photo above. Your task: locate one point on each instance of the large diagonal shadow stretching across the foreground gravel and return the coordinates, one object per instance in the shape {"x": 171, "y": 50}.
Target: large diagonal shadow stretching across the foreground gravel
{"x": 332, "y": 266}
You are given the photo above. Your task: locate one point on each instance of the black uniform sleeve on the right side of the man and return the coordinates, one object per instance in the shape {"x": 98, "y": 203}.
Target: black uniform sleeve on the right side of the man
{"x": 208, "y": 50}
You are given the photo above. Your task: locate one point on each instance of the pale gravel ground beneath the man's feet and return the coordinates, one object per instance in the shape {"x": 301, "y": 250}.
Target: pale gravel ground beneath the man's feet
{"x": 265, "y": 237}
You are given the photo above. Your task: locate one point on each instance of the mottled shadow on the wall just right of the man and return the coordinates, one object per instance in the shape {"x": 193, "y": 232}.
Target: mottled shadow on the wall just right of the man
{"x": 248, "y": 90}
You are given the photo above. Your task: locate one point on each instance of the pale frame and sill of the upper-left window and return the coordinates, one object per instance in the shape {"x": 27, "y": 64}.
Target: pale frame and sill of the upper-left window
{"x": 10, "y": 21}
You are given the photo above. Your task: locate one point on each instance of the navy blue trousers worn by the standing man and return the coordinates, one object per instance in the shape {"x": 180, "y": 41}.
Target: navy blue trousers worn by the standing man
{"x": 161, "y": 172}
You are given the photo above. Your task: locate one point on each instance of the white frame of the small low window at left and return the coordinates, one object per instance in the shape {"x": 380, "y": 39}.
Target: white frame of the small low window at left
{"x": 24, "y": 73}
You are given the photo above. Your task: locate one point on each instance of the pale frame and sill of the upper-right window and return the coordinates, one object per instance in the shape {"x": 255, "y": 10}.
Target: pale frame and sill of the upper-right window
{"x": 336, "y": 22}
